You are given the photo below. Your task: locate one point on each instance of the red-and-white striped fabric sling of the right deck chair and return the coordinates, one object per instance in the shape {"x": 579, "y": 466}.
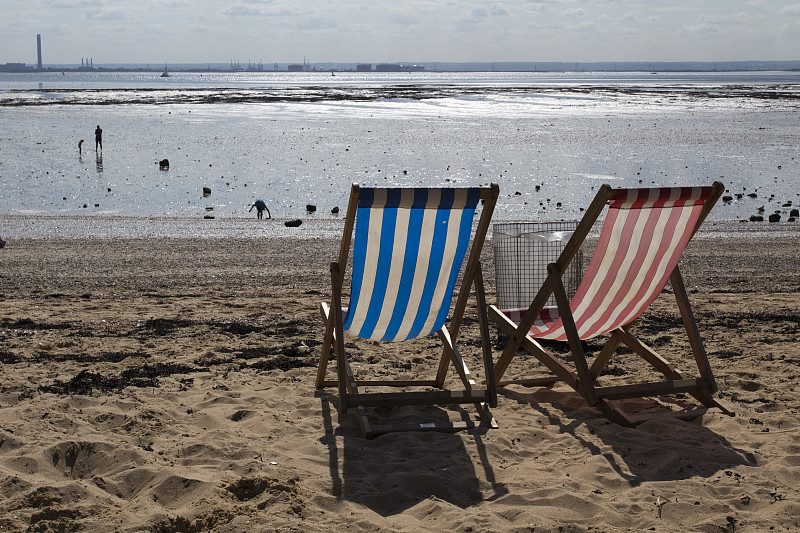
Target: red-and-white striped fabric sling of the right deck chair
{"x": 643, "y": 237}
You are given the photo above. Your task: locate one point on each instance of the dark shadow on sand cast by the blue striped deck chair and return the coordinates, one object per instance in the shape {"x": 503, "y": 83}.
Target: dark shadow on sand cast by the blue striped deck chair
{"x": 394, "y": 472}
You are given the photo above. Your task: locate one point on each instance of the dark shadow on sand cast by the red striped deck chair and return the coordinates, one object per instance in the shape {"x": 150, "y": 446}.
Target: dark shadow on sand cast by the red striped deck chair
{"x": 662, "y": 450}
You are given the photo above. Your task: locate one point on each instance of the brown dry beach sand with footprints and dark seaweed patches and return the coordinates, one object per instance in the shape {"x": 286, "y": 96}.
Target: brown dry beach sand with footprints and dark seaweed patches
{"x": 168, "y": 385}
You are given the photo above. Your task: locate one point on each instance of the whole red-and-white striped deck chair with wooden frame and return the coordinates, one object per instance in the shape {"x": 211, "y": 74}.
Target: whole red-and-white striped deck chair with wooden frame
{"x": 643, "y": 236}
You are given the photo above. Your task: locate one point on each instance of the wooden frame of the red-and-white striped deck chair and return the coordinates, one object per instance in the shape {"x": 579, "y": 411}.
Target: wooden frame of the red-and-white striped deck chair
{"x": 584, "y": 378}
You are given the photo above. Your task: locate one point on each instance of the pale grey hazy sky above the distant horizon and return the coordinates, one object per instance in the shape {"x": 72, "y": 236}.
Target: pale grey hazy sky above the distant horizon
{"x": 406, "y": 31}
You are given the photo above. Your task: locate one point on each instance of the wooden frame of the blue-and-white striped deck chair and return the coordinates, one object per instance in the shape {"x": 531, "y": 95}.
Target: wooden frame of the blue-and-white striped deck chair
{"x": 350, "y": 394}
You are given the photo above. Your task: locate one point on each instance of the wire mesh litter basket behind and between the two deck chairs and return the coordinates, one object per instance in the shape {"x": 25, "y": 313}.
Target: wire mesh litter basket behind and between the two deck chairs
{"x": 522, "y": 251}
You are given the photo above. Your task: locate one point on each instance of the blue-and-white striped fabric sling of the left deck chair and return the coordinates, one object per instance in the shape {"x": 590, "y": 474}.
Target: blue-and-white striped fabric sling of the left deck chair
{"x": 408, "y": 250}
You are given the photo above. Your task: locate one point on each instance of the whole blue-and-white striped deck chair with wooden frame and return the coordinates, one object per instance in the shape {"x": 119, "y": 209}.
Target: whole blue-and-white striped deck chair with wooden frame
{"x": 408, "y": 249}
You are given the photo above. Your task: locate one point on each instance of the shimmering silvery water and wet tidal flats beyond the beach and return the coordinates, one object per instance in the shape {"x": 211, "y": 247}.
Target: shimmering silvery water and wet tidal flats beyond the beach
{"x": 300, "y": 139}
